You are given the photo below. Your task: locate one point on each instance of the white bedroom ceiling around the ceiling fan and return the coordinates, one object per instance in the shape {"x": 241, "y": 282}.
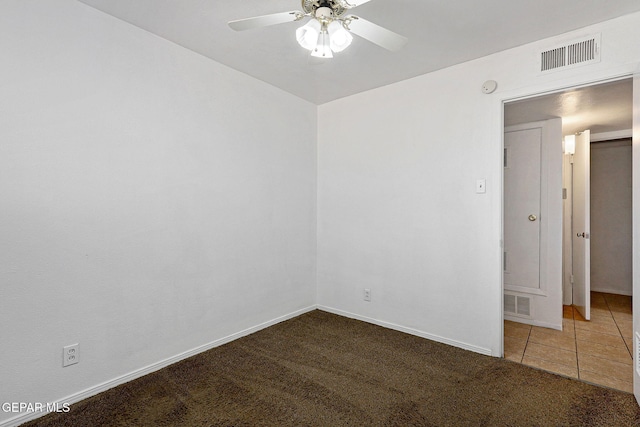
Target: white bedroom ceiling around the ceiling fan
{"x": 441, "y": 33}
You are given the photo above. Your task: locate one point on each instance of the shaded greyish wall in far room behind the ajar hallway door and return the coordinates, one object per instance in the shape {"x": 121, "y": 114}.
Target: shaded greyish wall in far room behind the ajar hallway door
{"x": 611, "y": 243}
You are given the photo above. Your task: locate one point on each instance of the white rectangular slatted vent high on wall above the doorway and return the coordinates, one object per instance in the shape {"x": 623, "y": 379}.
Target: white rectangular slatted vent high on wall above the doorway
{"x": 578, "y": 52}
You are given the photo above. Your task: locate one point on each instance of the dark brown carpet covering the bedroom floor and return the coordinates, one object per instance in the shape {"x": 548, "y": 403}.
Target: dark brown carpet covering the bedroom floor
{"x": 320, "y": 369}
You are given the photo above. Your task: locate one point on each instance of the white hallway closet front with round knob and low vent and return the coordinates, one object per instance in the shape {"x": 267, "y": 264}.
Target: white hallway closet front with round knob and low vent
{"x": 533, "y": 223}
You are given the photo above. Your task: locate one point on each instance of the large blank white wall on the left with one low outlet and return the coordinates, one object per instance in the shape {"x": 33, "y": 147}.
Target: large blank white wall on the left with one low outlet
{"x": 151, "y": 200}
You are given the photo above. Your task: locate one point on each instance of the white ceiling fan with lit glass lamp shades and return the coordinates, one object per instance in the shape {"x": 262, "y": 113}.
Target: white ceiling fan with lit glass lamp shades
{"x": 329, "y": 29}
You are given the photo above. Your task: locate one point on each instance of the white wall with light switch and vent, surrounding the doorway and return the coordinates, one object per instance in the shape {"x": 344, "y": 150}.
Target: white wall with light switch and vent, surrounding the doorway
{"x": 397, "y": 208}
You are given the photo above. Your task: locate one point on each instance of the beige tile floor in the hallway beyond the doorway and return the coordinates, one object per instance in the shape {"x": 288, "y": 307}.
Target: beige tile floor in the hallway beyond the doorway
{"x": 597, "y": 351}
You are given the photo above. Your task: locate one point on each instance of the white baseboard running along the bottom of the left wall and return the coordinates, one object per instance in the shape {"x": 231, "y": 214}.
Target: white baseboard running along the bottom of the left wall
{"x": 92, "y": 391}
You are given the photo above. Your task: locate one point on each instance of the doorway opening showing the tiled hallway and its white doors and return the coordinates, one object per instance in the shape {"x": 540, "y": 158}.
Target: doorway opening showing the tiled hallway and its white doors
{"x": 582, "y": 330}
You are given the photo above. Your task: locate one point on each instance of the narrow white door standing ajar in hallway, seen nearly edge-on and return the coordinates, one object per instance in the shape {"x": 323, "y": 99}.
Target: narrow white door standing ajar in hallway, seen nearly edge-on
{"x": 581, "y": 250}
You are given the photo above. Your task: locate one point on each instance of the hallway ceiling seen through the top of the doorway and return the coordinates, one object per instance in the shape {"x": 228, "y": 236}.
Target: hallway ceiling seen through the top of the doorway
{"x": 602, "y": 108}
